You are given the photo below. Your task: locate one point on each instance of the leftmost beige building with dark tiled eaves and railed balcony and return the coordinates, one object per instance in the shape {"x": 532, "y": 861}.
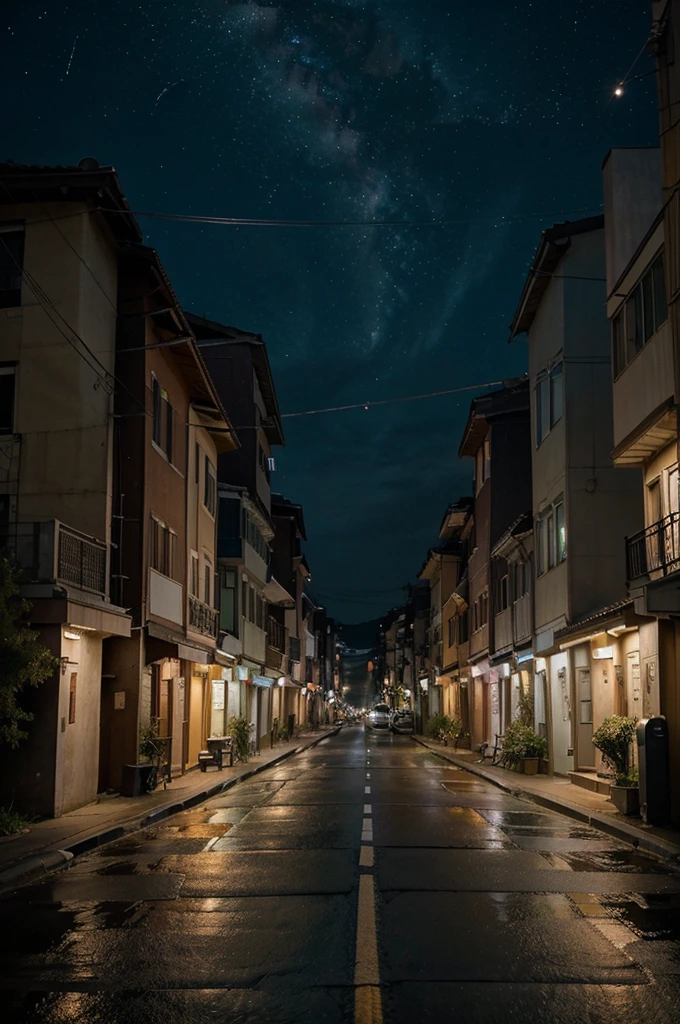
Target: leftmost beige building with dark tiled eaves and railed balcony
{"x": 59, "y": 280}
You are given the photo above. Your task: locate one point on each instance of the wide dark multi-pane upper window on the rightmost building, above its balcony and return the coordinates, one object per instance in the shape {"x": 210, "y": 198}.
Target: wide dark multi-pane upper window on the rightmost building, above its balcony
{"x": 641, "y": 317}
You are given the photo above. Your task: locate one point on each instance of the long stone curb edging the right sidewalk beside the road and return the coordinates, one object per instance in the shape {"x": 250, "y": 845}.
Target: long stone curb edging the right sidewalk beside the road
{"x": 618, "y": 830}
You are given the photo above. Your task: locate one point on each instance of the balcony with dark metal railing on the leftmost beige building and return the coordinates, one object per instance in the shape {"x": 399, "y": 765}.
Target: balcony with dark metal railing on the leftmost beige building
{"x": 52, "y": 552}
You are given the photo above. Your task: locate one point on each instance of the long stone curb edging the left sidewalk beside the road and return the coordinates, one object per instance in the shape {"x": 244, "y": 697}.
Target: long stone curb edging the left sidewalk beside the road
{"x": 51, "y": 861}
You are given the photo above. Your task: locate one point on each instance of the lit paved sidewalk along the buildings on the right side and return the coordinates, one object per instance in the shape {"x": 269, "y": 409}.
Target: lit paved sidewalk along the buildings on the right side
{"x": 560, "y": 795}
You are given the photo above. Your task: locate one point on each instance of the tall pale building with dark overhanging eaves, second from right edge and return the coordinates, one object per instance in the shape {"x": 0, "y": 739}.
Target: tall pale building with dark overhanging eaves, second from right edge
{"x": 583, "y": 506}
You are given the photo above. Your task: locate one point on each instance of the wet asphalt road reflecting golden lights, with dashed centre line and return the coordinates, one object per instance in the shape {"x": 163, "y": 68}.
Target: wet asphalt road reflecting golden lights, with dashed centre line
{"x": 245, "y": 910}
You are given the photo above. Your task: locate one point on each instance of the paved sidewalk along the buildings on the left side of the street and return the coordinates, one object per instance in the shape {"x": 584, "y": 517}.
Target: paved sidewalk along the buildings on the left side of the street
{"x": 54, "y": 842}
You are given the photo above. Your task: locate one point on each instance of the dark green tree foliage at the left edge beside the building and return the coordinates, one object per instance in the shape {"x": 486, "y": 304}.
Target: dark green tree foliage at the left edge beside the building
{"x": 24, "y": 661}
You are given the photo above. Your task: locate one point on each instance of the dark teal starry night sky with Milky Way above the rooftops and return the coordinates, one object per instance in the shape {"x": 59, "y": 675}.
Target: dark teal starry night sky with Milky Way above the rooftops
{"x": 492, "y": 116}
